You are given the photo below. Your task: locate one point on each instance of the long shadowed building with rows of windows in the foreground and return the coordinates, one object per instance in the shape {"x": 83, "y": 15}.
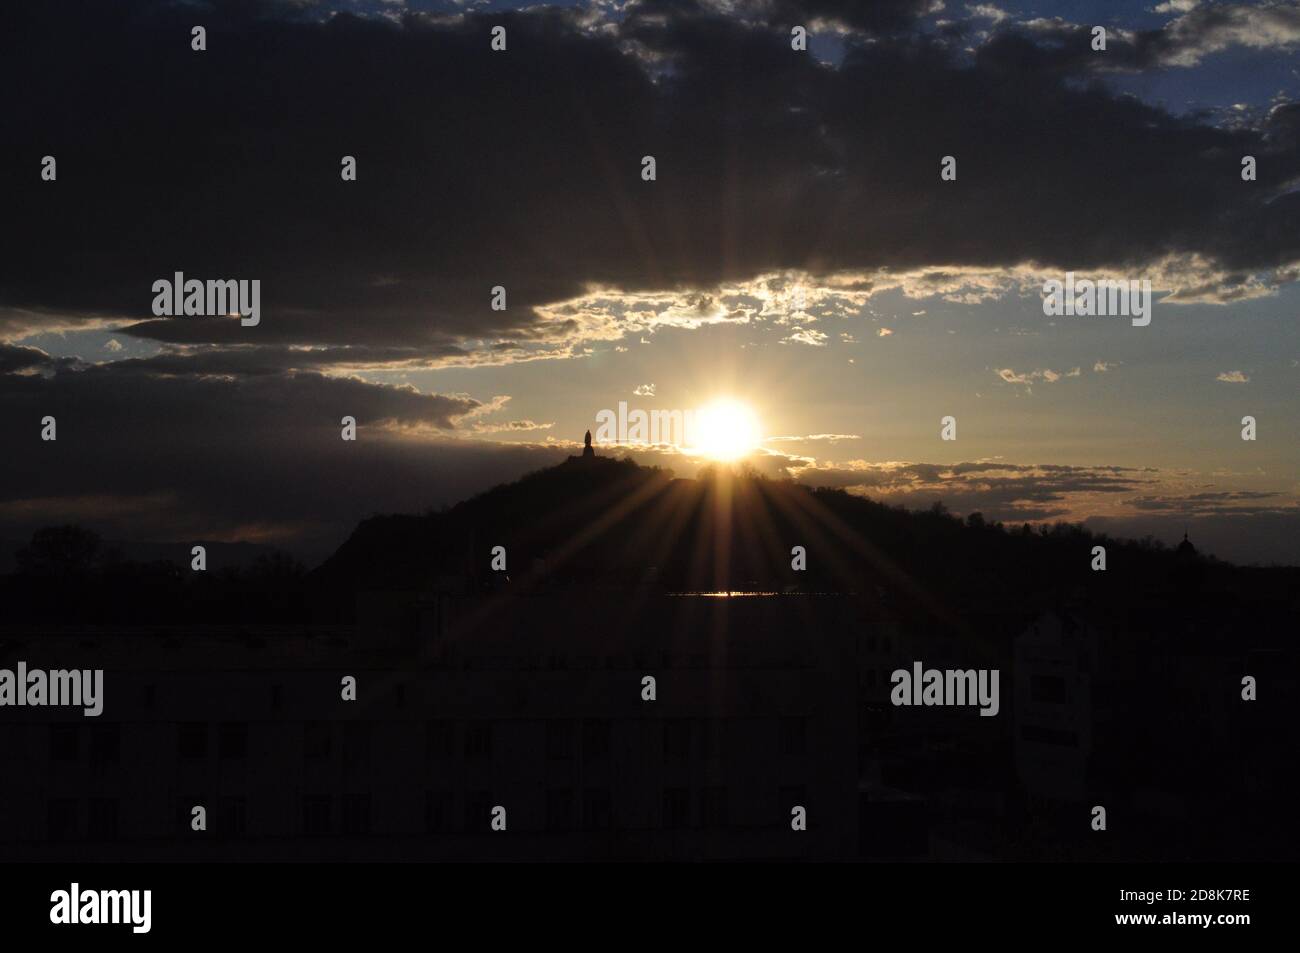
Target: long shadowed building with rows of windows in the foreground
{"x": 532, "y": 704}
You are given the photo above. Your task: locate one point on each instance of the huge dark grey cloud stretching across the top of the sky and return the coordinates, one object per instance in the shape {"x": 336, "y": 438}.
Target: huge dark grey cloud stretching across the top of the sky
{"x": 522, "y": 168}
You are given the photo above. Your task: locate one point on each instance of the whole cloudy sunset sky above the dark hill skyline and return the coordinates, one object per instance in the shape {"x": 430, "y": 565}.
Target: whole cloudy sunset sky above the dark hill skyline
{"x": 798, "y": 252}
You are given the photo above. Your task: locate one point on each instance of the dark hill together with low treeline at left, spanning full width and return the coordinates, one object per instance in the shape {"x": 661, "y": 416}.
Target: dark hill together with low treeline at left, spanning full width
{"x": 601, "y": 523}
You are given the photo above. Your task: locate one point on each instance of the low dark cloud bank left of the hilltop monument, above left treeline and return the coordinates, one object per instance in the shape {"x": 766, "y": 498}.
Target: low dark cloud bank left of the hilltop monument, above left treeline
{"x": 253, "y": 457}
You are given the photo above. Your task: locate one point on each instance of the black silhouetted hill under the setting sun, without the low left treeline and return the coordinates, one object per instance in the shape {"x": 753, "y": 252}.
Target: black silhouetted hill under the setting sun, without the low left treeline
{"x": 616, "y": 525}
